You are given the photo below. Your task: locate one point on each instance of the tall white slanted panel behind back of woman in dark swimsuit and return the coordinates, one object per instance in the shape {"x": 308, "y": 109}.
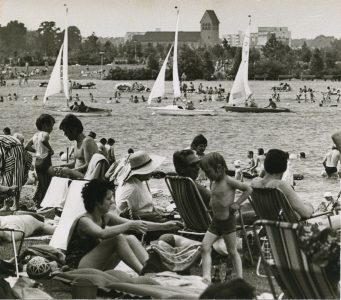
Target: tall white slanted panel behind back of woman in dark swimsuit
{"x": 73, "y": 208}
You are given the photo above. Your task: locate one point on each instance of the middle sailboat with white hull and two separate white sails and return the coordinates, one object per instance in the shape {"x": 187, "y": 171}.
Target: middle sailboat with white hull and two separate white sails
{"x": 158, "y": 89}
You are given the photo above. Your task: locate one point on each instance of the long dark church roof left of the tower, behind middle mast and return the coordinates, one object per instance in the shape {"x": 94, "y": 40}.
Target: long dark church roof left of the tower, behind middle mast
{"x": 168, "y": 36}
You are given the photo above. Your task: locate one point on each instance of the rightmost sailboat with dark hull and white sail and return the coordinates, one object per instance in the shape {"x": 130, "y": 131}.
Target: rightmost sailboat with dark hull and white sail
{"x": 241, "y": 92}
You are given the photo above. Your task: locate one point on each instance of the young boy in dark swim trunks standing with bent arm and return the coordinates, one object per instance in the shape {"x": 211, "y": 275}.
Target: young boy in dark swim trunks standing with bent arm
{"x": 223, "y": 190}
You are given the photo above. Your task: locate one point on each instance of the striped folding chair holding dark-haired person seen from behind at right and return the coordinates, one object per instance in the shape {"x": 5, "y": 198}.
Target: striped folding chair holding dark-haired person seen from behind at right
{"x": 272, "y": 204}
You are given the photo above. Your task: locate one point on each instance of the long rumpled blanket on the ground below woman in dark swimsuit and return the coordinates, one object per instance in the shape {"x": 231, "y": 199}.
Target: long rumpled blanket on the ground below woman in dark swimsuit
{"x": 119, "y": 281}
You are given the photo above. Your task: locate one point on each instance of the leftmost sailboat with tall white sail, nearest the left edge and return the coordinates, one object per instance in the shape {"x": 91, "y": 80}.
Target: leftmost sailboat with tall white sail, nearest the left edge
{"x": 60, "y": 84}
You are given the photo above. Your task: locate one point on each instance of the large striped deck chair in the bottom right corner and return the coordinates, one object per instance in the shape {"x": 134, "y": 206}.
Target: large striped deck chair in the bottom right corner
{"x": 297, "y": 277}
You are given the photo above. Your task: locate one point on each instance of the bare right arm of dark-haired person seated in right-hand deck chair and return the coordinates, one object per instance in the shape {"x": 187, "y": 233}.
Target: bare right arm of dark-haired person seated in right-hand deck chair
{"x": 304, "y": 209}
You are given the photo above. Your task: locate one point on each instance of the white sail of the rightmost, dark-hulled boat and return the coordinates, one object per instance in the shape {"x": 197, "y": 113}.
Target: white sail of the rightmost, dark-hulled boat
{"x": 240, "y": 90}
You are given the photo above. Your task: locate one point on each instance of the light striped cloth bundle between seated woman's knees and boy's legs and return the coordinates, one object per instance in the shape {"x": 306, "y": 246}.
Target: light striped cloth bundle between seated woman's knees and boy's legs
{"x": 175, "y": 258}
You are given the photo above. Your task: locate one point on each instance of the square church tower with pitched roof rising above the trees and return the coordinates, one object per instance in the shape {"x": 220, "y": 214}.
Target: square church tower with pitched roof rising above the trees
{"x": 209, "y": 32}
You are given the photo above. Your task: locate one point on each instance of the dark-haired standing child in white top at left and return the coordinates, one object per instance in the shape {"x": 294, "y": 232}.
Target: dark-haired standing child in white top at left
{"x": 44, "y": 152}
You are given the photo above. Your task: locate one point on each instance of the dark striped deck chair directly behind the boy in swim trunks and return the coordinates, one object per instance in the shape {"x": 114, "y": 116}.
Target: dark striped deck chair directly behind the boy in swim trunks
{"x": 192, "y": 208}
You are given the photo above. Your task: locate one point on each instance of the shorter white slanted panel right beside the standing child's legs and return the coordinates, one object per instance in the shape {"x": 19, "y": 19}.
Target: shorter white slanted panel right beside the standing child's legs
{"x": 56, "y": 193}
